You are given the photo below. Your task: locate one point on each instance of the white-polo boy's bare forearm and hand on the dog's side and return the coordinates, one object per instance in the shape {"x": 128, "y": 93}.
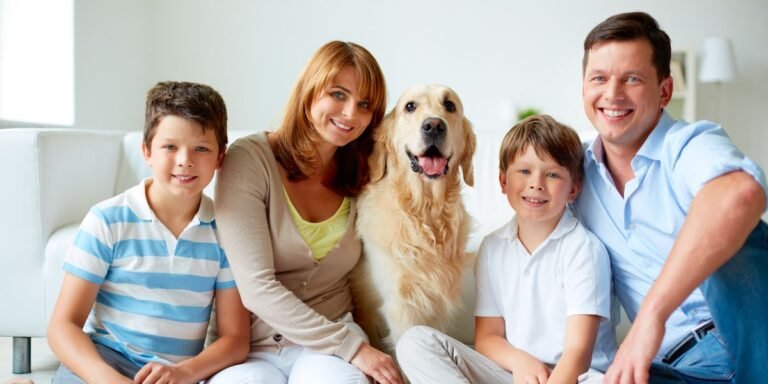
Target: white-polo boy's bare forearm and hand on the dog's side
{"x": 491, "y": 343}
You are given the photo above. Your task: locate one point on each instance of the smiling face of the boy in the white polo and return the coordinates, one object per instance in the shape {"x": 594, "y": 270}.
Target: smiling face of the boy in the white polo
{"x": 537, "y": 189}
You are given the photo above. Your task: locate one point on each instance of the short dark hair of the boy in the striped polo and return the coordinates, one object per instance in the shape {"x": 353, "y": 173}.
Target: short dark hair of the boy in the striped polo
{"x": 197, "y": 102}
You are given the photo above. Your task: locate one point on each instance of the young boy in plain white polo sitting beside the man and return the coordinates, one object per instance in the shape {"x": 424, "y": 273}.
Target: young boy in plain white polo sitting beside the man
{"x": 543, "y": 281}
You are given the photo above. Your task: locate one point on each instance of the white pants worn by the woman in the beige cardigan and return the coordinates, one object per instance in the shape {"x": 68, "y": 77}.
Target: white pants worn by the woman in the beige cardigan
{"x": 293, "y": 365}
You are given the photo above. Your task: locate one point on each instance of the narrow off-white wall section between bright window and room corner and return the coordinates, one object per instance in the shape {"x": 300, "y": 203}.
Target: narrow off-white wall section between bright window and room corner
{"x": 112, "y": 63}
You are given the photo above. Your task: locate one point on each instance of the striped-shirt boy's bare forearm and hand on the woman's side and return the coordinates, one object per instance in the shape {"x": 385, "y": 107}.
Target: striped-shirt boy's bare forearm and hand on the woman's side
{"x": 232, "y": 346}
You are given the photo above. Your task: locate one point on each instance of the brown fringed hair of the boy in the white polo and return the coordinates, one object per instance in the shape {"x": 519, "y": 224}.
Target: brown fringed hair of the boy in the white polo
{"x": 549, "y": 138}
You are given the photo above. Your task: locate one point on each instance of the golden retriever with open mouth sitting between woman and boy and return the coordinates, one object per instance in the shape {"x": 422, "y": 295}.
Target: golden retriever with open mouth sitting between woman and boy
{"x": 411, "y": 218}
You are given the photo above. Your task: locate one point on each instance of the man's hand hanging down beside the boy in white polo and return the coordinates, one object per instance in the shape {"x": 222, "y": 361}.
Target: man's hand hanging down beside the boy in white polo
{"x": 633, "y": 360}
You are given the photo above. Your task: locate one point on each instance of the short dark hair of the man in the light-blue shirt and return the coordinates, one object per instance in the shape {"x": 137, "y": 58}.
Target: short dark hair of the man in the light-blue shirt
{"x": 633, "y": 26}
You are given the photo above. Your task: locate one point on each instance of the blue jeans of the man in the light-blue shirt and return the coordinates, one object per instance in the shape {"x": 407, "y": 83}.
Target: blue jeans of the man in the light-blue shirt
{"x": 737, "y": 296}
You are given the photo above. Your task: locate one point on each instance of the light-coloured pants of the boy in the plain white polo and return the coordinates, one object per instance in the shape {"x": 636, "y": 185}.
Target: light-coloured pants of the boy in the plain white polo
{"x": 428, "y": 356}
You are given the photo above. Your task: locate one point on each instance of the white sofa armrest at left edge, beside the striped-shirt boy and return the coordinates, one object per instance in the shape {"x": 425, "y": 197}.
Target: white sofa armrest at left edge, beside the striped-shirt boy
{"x": 51, "y": 177}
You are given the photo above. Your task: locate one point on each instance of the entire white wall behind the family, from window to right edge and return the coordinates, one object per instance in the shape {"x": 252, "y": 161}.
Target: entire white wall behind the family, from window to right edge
{"x": 493, "y": 52}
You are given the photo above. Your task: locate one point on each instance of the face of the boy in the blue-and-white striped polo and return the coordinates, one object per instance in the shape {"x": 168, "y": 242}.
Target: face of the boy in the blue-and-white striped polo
{"x": 183, "y": 158}
